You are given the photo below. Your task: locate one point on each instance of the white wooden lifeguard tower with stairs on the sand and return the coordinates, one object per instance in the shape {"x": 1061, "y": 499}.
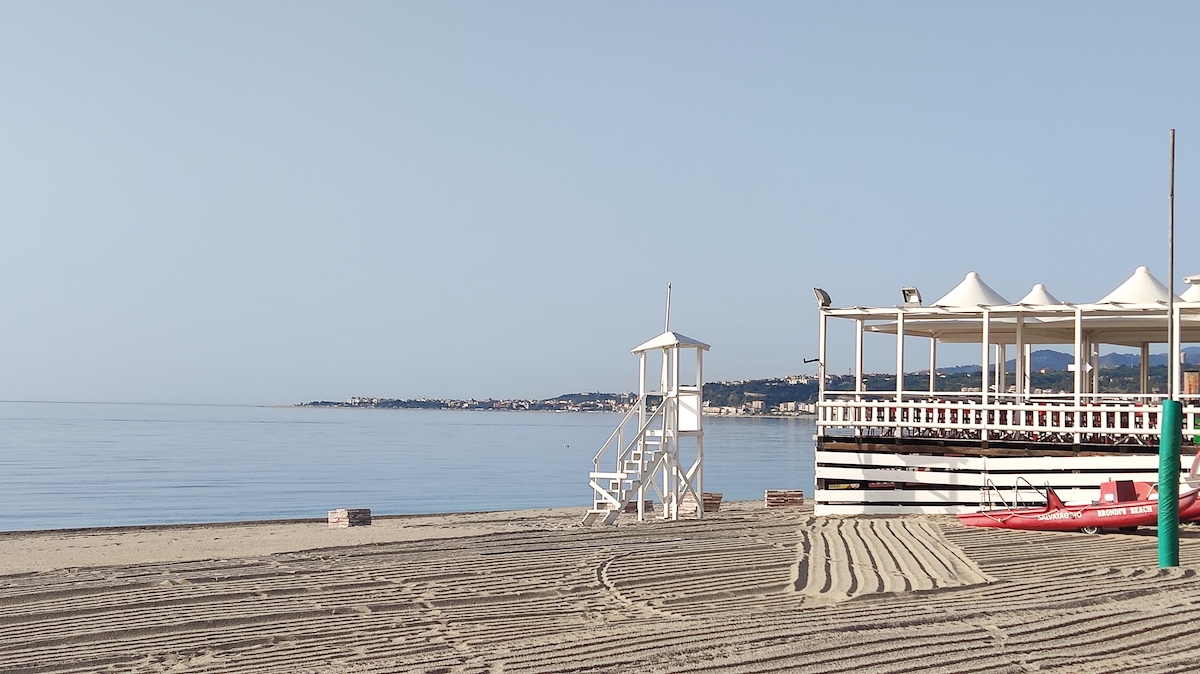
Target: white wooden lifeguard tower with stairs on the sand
{"x": 658, "y": 449}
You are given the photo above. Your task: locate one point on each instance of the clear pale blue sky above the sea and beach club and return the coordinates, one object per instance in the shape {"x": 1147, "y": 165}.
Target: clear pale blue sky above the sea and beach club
{"x": 284, "y": 202}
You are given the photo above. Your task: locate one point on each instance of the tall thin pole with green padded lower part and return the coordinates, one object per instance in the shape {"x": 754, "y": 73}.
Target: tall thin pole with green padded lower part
{"x": 1171, "y": 426}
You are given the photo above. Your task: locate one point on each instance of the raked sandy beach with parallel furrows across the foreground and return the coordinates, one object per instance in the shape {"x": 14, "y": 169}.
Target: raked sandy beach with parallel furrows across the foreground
{"x": 746, "y": 591}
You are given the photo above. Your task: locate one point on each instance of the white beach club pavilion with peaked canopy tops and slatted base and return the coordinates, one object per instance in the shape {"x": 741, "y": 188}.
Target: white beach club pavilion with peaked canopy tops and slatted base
{"x": 949, "y": 452}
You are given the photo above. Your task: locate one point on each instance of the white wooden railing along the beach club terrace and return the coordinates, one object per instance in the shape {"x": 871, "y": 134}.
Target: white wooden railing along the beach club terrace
{"x": 1099, "y": 418}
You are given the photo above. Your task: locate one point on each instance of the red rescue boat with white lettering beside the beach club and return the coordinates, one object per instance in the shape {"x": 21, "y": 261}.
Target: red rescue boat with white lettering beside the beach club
{"x": 1123, "y": 505}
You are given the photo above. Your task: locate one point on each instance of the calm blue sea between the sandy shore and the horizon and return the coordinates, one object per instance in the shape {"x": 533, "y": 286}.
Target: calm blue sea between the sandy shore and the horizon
{"x": 76, "y": 465}
